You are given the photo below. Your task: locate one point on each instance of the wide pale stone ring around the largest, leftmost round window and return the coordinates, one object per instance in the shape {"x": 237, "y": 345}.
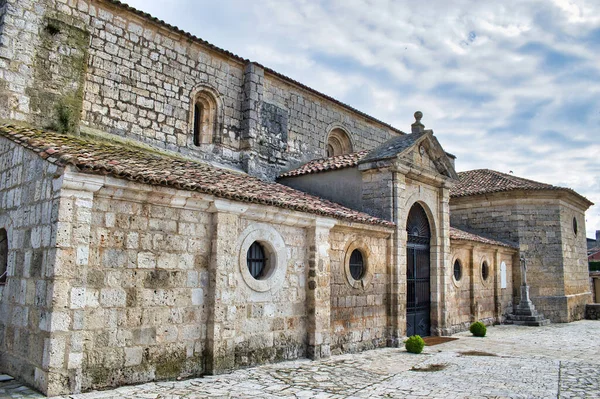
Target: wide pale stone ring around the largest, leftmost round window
{"x": 275, "y": 252}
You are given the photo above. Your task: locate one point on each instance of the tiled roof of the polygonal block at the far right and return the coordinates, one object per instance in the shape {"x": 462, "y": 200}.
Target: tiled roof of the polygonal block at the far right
{"x": 485, "y": 181}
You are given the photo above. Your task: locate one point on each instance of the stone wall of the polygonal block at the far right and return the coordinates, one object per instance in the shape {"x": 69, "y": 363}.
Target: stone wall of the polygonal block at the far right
{"x": 535, "y": 221}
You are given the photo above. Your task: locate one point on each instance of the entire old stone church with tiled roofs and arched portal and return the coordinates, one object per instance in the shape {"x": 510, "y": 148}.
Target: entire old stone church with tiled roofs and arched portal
{"x": 169, "y": 209}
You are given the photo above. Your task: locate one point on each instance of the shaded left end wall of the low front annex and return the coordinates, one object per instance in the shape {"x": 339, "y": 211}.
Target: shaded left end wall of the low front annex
{"x": 28, "y": 188}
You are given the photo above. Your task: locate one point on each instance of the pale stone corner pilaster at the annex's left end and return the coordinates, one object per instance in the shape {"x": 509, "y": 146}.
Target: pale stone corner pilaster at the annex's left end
{"x": 63, "y": 352}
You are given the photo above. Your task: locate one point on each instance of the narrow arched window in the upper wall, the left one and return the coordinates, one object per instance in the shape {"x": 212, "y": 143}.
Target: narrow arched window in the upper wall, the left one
{"x": 204, "y": 117}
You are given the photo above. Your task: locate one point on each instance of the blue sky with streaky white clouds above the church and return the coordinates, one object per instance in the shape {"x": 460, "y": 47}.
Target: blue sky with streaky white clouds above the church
{"x": 510, "y": 86}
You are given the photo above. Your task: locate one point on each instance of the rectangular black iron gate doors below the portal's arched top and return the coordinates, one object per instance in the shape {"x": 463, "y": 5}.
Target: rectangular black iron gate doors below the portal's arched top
{"x": 418, "y": 299}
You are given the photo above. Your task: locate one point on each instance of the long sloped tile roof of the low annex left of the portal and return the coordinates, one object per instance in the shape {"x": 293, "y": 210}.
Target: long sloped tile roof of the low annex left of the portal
{"x": 156, "y": 168}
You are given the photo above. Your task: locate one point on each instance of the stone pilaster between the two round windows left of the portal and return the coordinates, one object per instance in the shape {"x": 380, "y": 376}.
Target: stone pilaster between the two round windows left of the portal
{"x": 318, "y": 297}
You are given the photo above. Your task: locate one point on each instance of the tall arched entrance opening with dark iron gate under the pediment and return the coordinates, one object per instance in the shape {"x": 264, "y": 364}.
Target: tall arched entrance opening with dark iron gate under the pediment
{"x": 418, "y": 297}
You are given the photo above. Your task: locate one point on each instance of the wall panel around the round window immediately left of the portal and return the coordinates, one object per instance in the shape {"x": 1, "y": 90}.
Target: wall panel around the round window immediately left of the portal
{"x": 359, "y": 309}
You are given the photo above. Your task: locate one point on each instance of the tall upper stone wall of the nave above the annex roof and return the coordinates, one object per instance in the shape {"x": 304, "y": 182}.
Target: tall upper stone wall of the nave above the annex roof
{"x": 98, "y": 65}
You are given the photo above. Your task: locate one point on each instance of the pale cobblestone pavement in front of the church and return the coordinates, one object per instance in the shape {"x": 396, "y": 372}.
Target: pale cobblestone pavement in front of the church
{"x": 556, "y": 361}
